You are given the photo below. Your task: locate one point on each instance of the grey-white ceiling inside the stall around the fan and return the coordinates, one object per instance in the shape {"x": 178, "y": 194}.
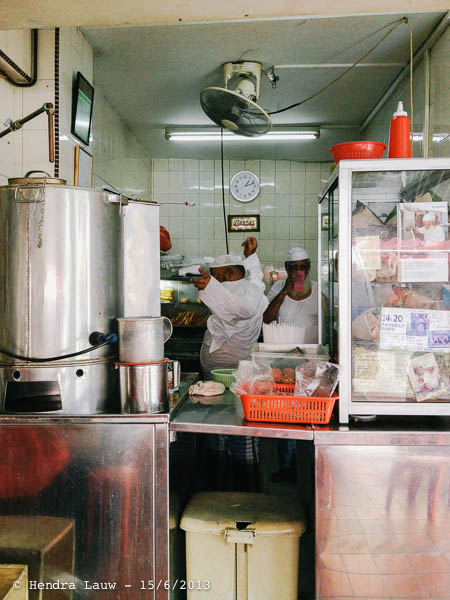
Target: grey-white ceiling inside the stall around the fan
{"x": 153, "y": 75}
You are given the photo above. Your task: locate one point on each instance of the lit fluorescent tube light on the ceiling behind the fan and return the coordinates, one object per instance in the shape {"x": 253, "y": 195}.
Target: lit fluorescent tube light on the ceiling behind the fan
{"x": 212, "y": 134}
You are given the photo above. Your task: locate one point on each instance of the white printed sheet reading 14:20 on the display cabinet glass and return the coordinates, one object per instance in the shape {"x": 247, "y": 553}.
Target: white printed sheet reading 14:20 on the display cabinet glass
{"x": 414, "y": 329}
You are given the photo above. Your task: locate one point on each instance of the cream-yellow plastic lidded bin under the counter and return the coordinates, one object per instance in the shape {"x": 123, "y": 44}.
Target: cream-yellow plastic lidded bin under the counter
{"x": 242, "y": 546}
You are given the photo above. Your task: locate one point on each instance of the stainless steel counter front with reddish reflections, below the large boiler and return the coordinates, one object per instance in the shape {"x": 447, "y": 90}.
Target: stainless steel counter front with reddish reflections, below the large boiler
{"x": 94, "y": 488}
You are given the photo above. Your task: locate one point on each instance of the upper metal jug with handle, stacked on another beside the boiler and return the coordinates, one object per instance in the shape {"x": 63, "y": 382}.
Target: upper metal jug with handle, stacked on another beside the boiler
{"x": 142, "y": 339}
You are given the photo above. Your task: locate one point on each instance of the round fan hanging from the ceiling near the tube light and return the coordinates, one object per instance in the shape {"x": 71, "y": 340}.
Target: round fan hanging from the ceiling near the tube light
{"x": 234, "y": 106}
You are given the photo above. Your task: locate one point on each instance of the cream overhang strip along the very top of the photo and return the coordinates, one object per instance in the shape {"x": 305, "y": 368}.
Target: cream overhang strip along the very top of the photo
{"x": 23, "y": 14}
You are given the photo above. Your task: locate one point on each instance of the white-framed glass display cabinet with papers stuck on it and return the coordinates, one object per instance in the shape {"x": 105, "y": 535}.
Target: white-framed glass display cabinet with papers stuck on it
{"x": 390, "y": 234}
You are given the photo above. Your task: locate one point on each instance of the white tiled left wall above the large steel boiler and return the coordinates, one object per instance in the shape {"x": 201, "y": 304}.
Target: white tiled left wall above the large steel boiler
{"x": 119, "y": 160}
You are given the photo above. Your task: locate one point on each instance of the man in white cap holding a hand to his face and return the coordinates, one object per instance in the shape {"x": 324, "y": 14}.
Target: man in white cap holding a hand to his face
{"x": 294, "y": 300}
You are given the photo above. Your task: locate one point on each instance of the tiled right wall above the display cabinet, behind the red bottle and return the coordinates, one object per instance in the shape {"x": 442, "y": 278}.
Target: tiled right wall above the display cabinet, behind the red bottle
{"x": 378, "y": 129}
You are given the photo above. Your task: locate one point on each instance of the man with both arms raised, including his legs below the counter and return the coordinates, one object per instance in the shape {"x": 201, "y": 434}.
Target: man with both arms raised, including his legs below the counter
{"x": 234, "y": 293}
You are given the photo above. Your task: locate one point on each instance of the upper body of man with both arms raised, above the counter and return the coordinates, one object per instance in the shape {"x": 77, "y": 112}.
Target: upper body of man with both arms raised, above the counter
{"x": 237, "y": 304}
